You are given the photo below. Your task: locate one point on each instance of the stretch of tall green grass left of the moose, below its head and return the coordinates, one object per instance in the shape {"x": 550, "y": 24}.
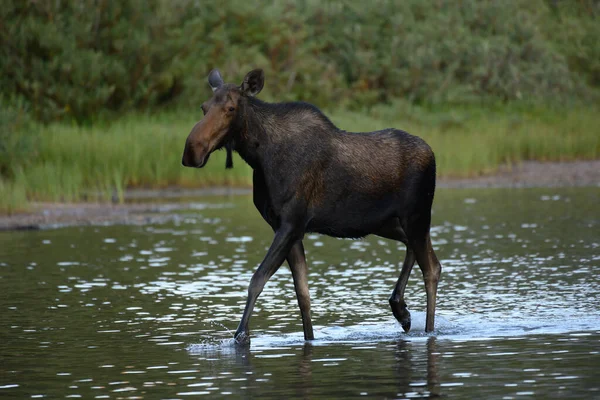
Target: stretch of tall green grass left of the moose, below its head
{"x": 76, "y": 163}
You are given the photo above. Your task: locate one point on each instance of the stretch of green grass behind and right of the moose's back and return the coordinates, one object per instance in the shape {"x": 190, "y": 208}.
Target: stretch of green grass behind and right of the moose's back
{"x": 471, "y": 141}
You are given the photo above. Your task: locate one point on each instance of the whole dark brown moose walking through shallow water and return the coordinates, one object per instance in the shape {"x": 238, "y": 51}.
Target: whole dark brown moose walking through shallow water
{"x": 310, "y": 176}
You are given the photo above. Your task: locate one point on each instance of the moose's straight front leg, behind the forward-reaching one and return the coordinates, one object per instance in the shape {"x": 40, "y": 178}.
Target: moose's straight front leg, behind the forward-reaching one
{"x": 299, "y": 268}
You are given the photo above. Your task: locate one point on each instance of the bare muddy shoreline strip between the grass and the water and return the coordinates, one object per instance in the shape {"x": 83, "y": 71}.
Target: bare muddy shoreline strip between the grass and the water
{"x": 144, "y": 206}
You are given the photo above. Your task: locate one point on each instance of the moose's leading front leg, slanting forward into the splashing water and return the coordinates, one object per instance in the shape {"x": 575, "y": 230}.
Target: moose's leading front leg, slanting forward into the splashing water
{"x": 285, "y": 237}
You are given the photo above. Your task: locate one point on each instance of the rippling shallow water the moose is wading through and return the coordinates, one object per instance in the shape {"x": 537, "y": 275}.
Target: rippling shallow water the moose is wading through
{"x": 148, "y": 311}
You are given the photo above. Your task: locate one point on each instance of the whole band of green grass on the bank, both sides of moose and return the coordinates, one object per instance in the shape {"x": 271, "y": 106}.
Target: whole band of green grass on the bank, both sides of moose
{"x": 78, "y": 163}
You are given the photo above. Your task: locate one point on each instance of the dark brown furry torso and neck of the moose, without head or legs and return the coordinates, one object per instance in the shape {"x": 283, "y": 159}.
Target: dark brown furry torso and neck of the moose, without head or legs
{"x": 338, "y": 183}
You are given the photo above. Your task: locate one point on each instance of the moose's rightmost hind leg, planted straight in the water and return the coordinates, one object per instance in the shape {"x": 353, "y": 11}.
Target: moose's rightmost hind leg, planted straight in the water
{"x": 432, "y": 269}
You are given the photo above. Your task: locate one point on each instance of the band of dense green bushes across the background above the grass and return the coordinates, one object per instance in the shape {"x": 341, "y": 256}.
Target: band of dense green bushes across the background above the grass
{"x": 78, "y": 59}
